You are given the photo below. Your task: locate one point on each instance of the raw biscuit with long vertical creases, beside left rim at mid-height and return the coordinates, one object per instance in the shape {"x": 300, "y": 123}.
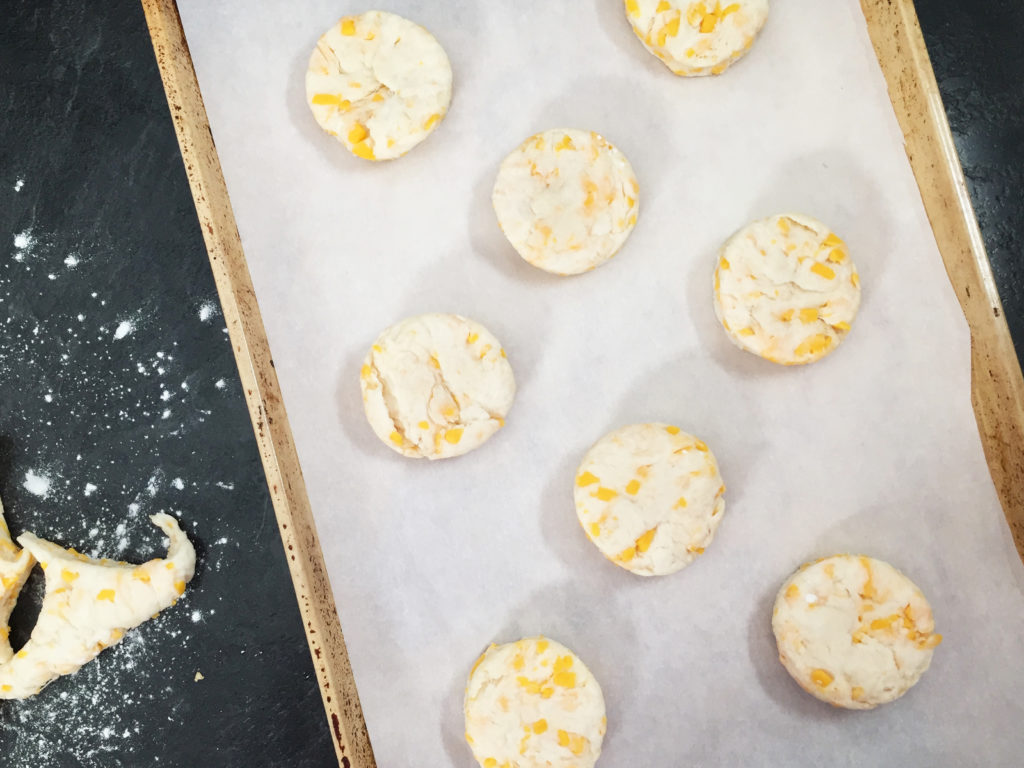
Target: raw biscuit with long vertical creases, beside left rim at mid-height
{"x": 437, "y": 387}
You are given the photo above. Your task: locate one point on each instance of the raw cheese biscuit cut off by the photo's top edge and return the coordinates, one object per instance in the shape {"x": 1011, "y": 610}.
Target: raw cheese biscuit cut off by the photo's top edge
{"x": 698, "y": 38}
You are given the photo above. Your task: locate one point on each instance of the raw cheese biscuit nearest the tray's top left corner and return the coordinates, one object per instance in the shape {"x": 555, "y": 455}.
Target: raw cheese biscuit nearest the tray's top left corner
{"x": 378, "y": 83}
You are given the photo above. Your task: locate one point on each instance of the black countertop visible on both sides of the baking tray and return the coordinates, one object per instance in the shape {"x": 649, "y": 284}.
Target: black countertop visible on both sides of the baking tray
{"x": 119, "y": 396}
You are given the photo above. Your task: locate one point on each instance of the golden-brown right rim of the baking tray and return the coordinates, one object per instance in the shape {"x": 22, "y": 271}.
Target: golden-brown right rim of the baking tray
{"x": 997, "y": 385}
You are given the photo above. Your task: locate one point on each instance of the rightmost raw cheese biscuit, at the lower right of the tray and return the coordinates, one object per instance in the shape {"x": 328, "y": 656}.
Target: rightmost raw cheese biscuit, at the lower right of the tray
{"x": 854, "y": 631}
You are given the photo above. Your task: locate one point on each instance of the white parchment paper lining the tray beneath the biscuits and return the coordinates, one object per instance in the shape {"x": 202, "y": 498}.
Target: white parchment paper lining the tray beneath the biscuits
{"x": 874, "y": 450}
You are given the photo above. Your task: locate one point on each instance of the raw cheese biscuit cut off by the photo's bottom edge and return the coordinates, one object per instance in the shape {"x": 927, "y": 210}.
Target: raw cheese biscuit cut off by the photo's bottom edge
{"x": 533, "y": 704}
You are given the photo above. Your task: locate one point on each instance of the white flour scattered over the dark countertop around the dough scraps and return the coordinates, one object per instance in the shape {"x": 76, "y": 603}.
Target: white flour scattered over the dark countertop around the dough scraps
{"x": 111, "y": 368}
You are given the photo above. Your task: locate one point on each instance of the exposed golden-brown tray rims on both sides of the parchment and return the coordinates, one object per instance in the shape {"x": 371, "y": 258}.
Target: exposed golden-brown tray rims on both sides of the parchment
{"x": 998, "y": 387}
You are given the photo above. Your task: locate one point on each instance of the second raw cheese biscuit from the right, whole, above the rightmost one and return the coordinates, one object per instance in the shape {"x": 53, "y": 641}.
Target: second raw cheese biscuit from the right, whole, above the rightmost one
{"x": 787, "y": 289}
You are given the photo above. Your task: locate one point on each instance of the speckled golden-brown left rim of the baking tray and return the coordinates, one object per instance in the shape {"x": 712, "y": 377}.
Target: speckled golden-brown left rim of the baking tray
{"x": 260, "y": 381}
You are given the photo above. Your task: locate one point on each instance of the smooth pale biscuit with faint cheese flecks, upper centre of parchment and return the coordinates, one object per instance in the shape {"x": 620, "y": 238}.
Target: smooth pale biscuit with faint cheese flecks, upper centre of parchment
{"x": 567, "y": 200}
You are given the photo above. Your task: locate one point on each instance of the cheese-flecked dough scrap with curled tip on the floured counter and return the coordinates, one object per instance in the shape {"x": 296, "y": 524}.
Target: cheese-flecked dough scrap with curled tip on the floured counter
{"x": 90, "y": 605}
